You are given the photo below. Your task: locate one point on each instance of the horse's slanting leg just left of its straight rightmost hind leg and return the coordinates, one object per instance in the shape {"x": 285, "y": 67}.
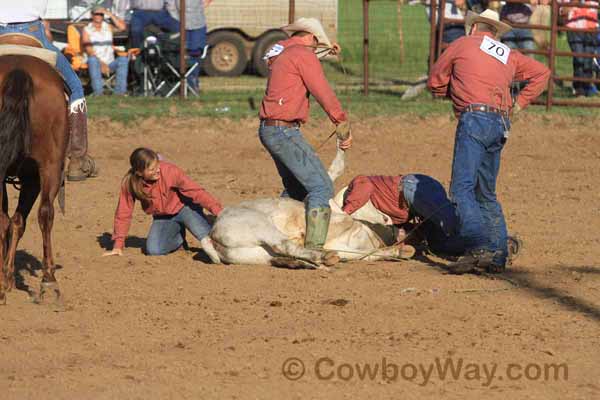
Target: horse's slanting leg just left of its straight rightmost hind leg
{"x": 29, "y": 192}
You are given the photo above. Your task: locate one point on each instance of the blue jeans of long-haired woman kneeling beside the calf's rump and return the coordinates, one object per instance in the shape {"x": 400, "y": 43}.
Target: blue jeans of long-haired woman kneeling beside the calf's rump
{"x": 167, "y": 233}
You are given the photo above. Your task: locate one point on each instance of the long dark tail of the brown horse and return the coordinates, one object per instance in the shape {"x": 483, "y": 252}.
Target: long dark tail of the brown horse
{"x": 15, "y": 125}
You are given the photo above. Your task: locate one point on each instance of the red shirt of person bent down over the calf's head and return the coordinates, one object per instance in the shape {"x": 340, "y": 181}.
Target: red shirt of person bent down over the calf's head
{"x": 384, "y": 193}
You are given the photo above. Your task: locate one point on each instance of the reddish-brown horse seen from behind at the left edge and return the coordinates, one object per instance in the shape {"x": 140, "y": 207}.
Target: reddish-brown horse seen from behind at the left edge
{"x": 33, "y": 143}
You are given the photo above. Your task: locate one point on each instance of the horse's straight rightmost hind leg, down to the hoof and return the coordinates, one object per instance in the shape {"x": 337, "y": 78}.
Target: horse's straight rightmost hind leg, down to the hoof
{"x": 50, "y": 179}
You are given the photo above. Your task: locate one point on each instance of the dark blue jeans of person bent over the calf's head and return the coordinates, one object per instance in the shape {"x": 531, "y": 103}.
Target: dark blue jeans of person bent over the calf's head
{"x": 427, "y": 200}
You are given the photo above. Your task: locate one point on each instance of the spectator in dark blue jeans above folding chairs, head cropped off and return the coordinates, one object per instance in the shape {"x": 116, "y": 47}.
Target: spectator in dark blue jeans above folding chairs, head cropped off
{"x": 149, "y": 12}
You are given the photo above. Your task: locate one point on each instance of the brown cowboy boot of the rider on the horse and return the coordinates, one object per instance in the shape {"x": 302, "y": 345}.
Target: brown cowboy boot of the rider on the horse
{"x": 81, "y": 165}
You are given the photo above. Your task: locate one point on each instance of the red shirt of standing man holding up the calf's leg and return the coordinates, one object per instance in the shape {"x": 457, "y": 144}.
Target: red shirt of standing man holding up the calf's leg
{"x": 293, "y": 75}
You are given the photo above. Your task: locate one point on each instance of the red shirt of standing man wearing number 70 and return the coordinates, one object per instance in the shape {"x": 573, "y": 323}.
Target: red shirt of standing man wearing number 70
{"x": 469, "y": 76}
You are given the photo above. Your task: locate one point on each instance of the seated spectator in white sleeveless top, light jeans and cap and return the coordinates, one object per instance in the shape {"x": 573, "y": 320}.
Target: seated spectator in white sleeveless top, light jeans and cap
{"x": 98, "y": 43}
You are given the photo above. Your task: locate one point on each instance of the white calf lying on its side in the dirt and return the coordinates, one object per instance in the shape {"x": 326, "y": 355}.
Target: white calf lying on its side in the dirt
{"x": 271, "y": 231}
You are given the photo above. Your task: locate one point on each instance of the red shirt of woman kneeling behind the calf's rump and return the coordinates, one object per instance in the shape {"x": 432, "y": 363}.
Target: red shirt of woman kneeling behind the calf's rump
{"x": 164, "y": 199}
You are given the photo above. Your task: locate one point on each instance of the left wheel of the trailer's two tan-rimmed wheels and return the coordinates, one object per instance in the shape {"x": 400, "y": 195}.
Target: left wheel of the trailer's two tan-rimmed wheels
{"x": 226, "y": 55}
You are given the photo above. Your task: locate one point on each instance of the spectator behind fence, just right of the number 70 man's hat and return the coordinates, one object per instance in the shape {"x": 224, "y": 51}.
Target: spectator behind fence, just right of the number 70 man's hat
{"x": 518, "y": 13}
